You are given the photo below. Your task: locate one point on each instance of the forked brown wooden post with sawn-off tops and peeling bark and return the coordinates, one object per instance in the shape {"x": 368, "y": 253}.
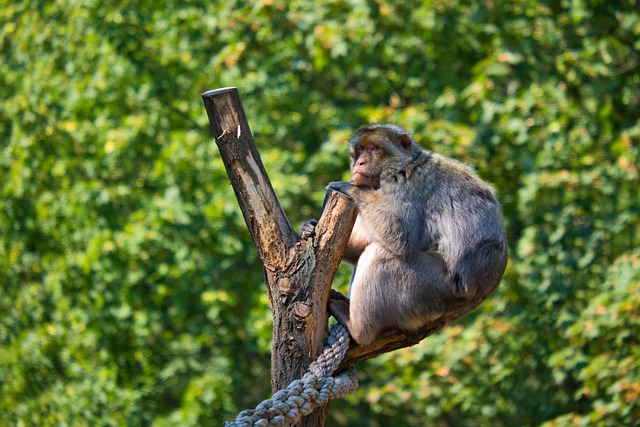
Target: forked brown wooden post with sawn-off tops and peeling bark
{"x": 298, "y": 273}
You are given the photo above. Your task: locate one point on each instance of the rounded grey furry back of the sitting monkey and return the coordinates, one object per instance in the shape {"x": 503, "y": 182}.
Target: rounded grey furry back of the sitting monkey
{"x": 464, "y": 222}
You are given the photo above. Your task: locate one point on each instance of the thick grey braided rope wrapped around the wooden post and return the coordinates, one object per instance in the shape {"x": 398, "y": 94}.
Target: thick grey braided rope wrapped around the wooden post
{"x": 314, "y": 389}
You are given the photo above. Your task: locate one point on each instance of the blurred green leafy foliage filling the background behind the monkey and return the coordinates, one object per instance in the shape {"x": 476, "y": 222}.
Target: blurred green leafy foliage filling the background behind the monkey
{"x": 130, "y": 292}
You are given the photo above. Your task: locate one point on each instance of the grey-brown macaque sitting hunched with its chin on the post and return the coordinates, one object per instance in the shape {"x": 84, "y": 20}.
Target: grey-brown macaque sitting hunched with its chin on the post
{"x": 428, "y": 241}
